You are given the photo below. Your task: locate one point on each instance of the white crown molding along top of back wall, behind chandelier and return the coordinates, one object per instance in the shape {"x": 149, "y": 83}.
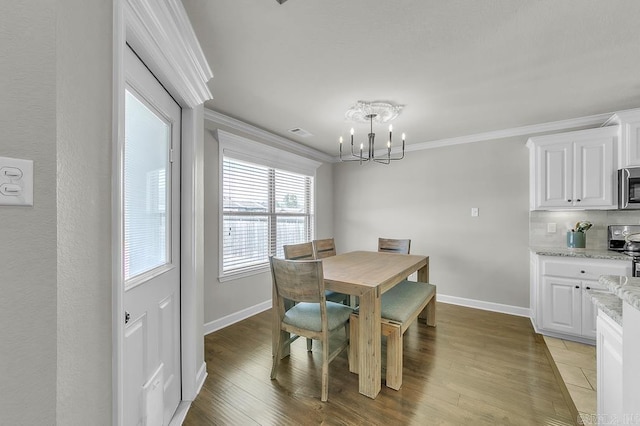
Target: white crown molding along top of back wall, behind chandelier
{"x": 553, "y": 126}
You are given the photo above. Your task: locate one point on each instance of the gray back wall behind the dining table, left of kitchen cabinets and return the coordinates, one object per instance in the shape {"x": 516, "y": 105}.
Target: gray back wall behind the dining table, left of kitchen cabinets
{"x": 428, "y": 197}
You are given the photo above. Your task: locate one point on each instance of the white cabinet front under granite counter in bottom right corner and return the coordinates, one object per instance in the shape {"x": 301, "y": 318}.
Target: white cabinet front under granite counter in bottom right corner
{"x": 609, "y": 353}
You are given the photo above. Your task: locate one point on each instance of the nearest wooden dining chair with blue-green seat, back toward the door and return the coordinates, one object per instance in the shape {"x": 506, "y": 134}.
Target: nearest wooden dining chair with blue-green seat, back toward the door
{"x": 312, "y": 316}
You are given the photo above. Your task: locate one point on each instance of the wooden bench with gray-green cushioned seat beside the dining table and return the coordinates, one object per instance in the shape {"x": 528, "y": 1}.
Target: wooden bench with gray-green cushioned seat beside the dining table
{"x": 400, "y": 307}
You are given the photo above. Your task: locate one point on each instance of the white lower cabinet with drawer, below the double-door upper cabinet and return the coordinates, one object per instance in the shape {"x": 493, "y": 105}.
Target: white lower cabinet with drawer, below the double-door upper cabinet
{"x": 562, "y": 307}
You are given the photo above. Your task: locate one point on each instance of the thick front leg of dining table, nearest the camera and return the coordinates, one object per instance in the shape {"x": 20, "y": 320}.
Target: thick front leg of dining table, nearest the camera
{"x": 369, "y": 344}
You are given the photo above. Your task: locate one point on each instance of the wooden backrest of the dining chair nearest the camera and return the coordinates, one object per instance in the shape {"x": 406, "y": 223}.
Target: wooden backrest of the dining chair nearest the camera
{"x": 298, "y": 280}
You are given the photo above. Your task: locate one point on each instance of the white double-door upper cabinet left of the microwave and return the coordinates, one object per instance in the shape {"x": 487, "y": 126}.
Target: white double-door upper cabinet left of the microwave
{"x": 574, "y": 170}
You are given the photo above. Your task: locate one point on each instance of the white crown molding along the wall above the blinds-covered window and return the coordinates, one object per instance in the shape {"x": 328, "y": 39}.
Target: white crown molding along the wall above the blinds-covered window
{"x": 270, "y": 138}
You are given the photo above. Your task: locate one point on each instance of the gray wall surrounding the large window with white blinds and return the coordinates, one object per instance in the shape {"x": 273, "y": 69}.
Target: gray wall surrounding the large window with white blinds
{"x": 222, "y": 299}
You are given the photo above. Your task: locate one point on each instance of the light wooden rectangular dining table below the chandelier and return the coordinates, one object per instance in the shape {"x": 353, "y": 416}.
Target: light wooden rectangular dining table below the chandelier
{"x": 368, "y": 275}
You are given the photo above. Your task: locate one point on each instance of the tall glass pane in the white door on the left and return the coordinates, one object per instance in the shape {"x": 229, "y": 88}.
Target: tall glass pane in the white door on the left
{"x": 146, "y": 188}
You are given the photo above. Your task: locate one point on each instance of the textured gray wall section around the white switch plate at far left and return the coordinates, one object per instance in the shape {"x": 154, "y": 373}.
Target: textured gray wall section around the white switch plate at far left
{"x": 28, "y": 234}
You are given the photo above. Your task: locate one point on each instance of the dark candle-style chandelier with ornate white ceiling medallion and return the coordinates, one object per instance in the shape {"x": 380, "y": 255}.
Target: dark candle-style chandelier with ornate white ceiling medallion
{"x": 380, "y": 112}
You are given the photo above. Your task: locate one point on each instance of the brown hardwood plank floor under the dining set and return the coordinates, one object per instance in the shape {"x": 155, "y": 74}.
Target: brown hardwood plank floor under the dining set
{"x": 474, "y": 368}
